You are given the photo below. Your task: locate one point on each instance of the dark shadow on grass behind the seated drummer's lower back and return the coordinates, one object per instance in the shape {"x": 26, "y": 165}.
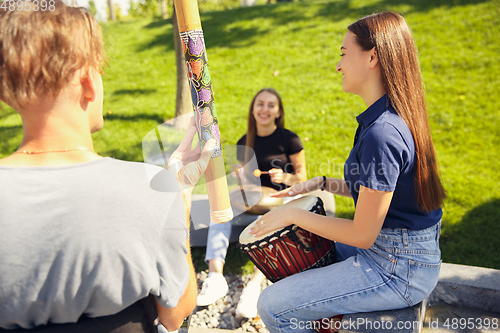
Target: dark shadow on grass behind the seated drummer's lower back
{"x": 474, "y": 240}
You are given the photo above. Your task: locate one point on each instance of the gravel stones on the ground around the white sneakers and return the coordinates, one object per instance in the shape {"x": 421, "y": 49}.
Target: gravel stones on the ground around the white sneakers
{"x": 221, "y": 314}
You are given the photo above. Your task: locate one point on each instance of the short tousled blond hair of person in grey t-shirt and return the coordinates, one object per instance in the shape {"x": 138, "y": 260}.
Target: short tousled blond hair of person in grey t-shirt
{"x": 40, "y": 50}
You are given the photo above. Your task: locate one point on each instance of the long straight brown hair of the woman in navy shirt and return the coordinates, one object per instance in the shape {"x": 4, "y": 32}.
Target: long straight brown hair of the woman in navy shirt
{"x": 391, "y": 37}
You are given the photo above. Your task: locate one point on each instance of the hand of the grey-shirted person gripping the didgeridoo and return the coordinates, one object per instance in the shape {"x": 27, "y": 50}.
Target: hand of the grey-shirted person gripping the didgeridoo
{"x": 188, "y": 164}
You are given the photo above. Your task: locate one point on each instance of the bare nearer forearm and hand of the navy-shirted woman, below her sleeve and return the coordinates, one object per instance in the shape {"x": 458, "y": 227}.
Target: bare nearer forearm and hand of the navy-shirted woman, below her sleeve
{"x": 371, "y": 209}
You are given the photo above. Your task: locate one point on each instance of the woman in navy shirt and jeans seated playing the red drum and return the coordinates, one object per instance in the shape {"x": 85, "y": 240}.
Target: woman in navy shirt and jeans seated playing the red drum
{"x": 388, "y": 255}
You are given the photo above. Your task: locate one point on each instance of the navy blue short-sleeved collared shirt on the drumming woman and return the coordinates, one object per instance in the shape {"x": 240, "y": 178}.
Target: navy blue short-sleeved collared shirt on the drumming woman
{"x": 383, "y": 159}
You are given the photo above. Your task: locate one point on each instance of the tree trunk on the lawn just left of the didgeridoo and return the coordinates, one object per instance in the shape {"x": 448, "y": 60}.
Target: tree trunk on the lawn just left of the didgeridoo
{"x": 183, "y": 102}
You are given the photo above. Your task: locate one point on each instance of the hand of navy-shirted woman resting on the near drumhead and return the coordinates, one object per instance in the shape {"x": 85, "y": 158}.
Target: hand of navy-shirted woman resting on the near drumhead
{"x": 275, "y": 220}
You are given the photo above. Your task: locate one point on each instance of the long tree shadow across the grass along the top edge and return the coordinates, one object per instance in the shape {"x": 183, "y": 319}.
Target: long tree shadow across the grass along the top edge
{"x": 217, "y": 31}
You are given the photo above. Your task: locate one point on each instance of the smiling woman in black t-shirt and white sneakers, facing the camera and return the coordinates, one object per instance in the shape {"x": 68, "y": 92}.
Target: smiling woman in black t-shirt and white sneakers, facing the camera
{"x": 279, "y": 152}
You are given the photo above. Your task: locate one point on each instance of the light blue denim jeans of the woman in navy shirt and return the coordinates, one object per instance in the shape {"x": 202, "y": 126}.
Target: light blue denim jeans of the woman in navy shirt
{"x": 399, "y": 270}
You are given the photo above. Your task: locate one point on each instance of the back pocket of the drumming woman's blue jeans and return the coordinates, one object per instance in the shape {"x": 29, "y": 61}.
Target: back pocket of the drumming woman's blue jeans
{"x": 422, "y": 278}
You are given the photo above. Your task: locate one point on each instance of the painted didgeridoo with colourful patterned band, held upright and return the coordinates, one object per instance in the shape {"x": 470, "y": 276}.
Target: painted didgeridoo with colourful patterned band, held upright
{"x": 195, "y": 55}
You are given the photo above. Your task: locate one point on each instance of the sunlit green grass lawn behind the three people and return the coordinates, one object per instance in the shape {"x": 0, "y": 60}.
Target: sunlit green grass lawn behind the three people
{"x": 300, "y": 42}
